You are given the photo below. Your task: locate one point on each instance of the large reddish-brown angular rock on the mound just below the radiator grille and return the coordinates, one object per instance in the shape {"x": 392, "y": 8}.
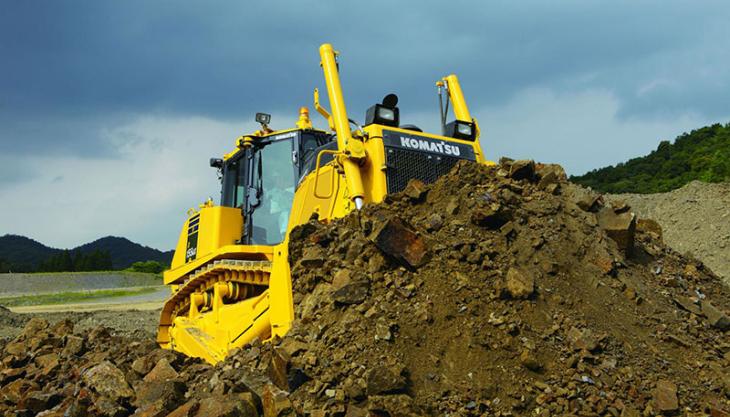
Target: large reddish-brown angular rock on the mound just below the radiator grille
{"x": 398, "y": 240}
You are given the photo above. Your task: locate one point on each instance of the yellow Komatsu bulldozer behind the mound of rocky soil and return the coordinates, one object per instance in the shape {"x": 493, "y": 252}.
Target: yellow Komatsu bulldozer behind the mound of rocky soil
{"x": 230, "y": 275}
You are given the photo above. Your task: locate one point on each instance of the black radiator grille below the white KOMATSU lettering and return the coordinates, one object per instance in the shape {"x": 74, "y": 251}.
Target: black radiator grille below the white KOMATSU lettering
{"x": 404, "y": 165}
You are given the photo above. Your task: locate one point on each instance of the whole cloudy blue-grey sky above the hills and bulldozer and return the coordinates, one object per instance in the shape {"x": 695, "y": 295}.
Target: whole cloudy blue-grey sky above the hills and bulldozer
{"x": 109, "y": 110}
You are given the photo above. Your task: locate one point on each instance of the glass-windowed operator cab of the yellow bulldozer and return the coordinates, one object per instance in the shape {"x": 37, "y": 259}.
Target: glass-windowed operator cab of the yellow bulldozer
{"x": 261, "y": 179}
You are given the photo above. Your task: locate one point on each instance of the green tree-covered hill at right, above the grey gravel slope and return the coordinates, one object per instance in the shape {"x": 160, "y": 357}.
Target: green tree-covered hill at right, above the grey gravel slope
{"x": 703, "y": 154}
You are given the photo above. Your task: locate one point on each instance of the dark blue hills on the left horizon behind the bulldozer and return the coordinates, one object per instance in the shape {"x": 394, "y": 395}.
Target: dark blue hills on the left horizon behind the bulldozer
{"x": 22, "y": 254}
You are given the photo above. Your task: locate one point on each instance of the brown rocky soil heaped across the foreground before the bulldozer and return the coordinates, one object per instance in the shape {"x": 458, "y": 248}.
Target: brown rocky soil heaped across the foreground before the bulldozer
{"x": 496, "y": 291}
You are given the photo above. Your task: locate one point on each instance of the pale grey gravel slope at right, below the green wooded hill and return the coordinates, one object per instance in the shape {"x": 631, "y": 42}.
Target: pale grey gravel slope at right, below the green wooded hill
{"x": 695, "y": 219}
